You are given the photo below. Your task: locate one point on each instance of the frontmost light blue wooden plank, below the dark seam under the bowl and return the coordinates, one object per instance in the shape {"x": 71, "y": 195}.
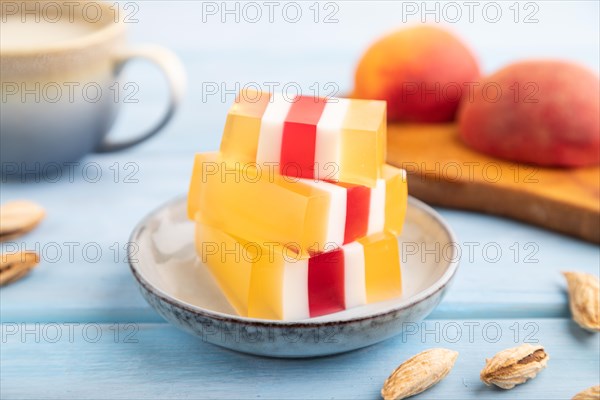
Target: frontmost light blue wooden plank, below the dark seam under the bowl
{"x": 157, "y": 361}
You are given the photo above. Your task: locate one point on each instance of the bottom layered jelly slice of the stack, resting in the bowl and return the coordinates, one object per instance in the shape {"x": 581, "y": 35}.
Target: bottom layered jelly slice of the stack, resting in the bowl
{"x": 269, "y": 282}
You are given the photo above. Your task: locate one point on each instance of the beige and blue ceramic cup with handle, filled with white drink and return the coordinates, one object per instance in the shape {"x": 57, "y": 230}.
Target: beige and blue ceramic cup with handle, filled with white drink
{"x": 59, "y": 64}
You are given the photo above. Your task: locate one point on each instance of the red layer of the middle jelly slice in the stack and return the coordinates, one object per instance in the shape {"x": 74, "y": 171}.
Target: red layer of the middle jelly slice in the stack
{"x": 358, "y": 200}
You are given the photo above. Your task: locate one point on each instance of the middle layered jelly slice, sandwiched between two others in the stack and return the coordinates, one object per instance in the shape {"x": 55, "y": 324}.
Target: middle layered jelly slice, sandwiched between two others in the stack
{"x": 250, "y": 202}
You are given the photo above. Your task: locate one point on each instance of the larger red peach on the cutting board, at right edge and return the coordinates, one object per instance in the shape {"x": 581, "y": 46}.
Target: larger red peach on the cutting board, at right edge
{"x": 539, "y": 112}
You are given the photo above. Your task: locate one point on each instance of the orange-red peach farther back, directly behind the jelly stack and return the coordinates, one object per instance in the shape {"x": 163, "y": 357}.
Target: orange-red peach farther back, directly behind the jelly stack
{"x": 421, "y": 72}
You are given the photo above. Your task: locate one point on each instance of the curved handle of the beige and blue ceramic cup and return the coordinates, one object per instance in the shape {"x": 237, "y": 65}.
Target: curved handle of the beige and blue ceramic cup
{"x": 173, "y": 71}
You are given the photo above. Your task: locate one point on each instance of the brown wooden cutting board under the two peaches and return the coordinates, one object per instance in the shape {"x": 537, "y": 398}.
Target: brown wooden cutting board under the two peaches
{"x": 443, "y": 171}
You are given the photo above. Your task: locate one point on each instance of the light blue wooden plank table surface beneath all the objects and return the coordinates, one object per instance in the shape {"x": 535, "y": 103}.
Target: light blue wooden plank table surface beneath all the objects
{"x": 78, "y": 328}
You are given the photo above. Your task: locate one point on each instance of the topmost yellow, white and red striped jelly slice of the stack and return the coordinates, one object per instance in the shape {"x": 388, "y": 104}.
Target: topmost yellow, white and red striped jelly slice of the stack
{"x": 334, "y": 139}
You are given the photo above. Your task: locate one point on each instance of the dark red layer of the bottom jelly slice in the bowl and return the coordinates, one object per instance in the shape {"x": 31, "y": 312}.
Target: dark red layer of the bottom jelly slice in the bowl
{"x": 326, "y": 283}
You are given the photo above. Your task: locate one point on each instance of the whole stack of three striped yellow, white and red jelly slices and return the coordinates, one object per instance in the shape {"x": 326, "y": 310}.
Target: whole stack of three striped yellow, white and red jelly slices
{"x": 297, "y": 216}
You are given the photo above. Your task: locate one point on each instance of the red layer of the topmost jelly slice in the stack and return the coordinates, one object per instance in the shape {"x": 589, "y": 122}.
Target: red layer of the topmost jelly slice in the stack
{"x": 299, "y": 137}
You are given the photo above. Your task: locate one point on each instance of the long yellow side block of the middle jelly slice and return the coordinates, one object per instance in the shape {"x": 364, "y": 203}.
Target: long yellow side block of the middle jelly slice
{"x": 250, "y": 202}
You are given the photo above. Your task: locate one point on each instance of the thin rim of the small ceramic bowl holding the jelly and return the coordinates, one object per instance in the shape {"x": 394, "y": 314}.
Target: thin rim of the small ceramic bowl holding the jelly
{"x": 419, "y": 297}
